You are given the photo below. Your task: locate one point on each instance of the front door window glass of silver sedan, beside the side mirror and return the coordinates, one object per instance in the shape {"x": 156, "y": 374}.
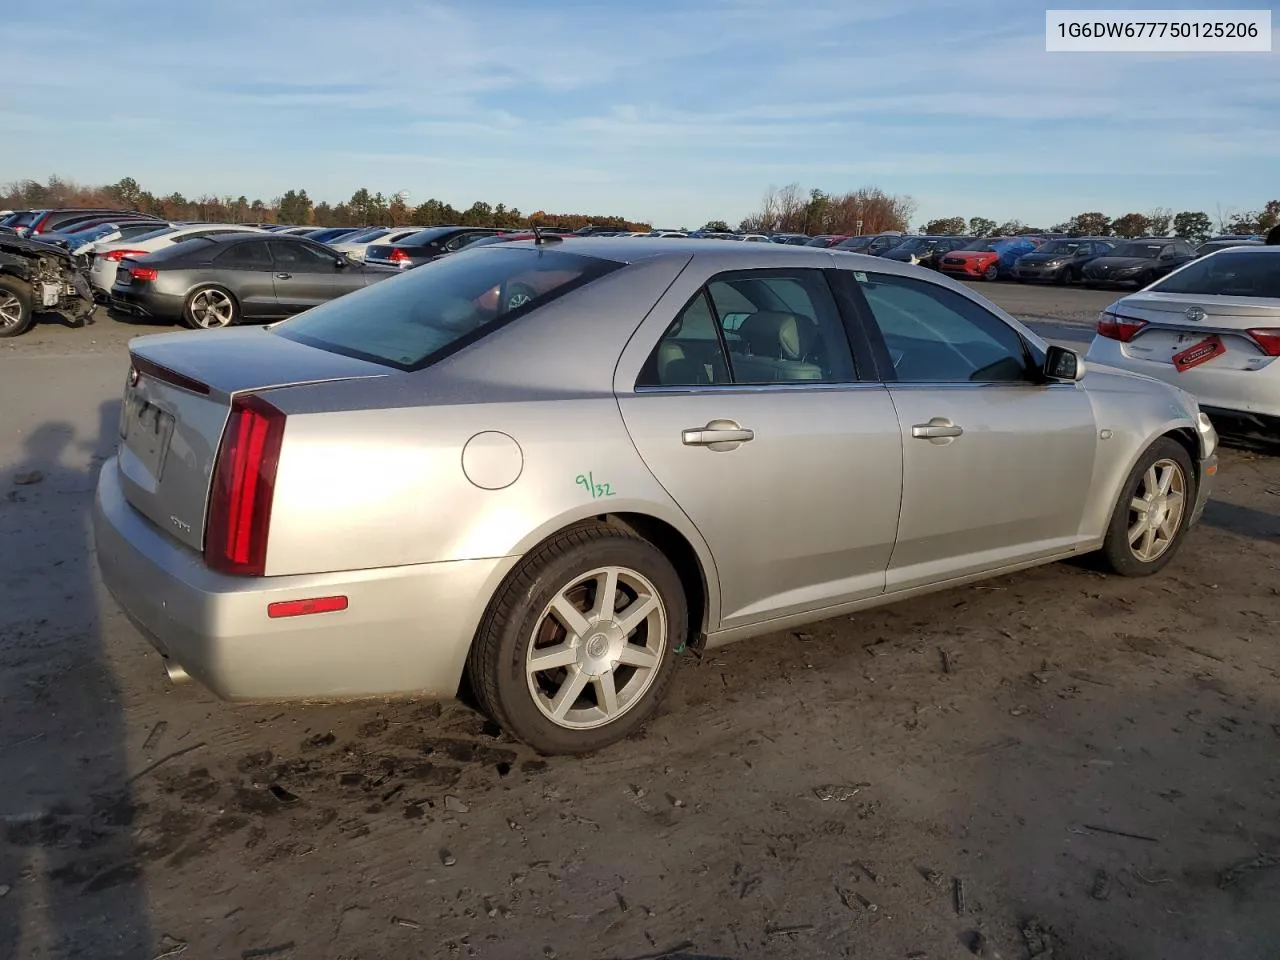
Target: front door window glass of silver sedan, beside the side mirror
{"x": 938, "y": 336}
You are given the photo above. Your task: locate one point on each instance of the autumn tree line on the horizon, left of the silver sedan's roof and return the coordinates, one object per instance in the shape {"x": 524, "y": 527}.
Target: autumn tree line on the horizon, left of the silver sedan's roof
{"x": 294, "y": 208}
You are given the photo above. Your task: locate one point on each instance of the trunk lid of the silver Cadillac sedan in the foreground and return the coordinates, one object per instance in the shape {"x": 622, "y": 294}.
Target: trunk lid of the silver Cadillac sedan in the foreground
{"x": 177, "y": 399}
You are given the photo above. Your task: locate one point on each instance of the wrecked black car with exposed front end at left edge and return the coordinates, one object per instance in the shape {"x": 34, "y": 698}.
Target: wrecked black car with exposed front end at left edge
{"x": 38, "y": 277}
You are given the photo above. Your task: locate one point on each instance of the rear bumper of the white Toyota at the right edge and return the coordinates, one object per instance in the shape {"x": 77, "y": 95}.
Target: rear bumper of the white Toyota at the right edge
{"x": 1249, "y": 392}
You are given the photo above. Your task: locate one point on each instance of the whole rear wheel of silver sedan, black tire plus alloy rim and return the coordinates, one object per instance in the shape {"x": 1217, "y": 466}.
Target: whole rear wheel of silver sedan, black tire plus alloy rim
{"x": 568, "y": 573}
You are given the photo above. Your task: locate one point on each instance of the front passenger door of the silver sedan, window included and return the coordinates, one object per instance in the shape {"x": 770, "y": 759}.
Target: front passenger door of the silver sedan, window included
{"x": 996, "y": 461}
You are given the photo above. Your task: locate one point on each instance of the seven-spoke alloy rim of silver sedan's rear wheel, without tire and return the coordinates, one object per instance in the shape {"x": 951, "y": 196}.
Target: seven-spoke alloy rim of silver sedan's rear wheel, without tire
{"x": 597, "y": 648}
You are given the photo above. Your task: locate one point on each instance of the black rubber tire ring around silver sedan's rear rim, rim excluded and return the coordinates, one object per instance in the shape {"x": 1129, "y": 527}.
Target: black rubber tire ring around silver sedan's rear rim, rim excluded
{"x": 515, "y": 701}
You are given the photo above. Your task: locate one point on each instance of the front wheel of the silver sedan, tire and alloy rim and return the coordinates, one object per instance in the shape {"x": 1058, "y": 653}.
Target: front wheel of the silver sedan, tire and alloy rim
{"x": 1122, "y": 552}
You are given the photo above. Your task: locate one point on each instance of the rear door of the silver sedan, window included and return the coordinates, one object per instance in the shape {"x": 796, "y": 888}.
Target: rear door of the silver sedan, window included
{"x": 744, "y": 401}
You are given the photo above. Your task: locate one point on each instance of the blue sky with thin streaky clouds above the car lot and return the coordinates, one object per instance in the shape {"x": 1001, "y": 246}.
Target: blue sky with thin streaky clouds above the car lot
{"x": 671, "y": 112}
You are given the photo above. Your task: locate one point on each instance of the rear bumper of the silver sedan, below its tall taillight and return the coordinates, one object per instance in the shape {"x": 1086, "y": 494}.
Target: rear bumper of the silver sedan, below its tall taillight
{"x": 405, "y": 630}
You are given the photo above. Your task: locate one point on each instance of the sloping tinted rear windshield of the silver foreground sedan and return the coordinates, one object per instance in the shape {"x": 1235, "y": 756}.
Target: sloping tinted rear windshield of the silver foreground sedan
{"x": 428, "y": 313}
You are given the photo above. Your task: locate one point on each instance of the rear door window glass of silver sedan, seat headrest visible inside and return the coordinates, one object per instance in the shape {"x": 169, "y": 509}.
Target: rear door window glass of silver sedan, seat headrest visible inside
{"x": 755, "y": 328}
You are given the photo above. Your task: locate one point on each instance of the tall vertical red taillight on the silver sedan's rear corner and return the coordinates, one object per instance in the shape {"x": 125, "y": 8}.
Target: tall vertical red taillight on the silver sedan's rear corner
{"x": 244, "y": 486}
